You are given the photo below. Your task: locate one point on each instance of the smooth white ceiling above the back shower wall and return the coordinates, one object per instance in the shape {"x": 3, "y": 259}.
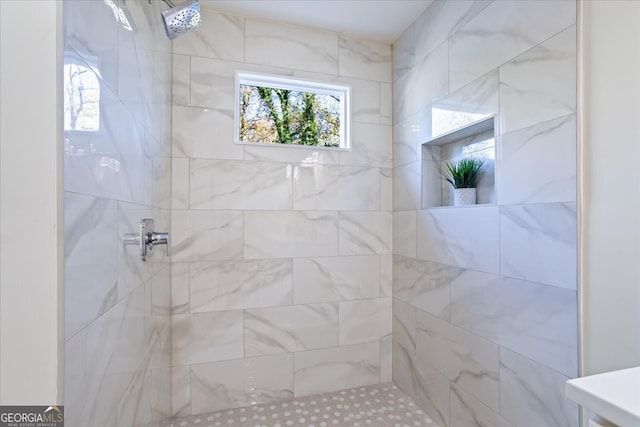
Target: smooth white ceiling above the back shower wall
{"x": 381, "y": 20}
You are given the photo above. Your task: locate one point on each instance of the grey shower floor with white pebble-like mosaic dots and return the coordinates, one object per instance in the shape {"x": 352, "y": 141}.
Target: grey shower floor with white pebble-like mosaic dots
{"x": 380, "y": 405}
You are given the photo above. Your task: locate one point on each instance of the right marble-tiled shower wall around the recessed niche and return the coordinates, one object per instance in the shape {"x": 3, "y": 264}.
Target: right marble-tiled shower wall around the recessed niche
{"x": 484, "y": 298}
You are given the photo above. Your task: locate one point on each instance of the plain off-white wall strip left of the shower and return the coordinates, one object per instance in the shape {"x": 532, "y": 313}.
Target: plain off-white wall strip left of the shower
{"x": 30, "y": 208}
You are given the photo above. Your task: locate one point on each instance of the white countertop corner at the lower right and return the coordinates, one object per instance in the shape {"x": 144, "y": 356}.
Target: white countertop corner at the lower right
{"x": 612, "y": 395}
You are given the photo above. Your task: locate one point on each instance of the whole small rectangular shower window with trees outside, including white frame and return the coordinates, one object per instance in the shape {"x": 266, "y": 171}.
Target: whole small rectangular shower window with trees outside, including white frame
{"x": 277, "y": 110}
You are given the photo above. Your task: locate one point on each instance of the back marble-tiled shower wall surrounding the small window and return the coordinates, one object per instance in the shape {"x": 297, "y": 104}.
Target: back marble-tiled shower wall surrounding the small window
{"x": 282, "y": 265}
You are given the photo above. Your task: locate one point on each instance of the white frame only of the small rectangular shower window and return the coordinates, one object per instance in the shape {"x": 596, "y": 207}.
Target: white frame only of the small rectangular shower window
{"x": 343, "y": 91}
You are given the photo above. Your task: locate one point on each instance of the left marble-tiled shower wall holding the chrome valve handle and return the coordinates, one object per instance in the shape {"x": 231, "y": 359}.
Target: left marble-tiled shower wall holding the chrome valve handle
{"x": 117, "y": 308}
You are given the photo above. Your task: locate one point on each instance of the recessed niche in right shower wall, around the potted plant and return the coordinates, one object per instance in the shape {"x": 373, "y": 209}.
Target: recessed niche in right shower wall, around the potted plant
{"x": 475, "y": 140}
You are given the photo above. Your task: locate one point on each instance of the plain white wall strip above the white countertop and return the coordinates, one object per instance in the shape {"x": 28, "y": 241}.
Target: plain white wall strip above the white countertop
{"x": 610, "y": 236}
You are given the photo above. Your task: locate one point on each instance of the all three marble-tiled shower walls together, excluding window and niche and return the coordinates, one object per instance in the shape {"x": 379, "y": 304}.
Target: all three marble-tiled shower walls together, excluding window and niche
{"x": 296, "y": 271}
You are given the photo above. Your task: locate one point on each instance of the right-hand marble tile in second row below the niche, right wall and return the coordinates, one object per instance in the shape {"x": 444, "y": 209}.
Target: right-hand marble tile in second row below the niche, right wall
{"x": 538, "y": 321}
